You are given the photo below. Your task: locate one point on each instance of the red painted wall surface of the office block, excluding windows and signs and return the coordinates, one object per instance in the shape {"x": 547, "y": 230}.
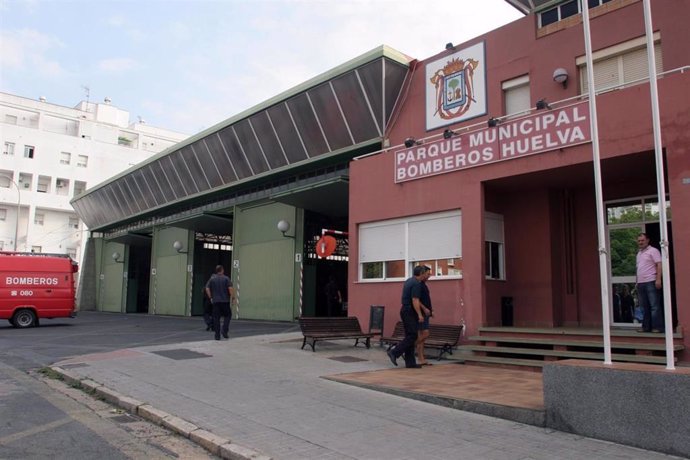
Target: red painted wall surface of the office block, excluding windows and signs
{"x": 529, "y": 191}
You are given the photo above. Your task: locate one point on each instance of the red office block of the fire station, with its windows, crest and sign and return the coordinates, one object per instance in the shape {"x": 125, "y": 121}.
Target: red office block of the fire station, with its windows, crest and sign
{"x": 490, "y": 180}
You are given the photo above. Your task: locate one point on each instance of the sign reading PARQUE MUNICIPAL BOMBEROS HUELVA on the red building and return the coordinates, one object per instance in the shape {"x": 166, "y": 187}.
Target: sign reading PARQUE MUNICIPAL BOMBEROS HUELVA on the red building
{"x": 541, "y": 132}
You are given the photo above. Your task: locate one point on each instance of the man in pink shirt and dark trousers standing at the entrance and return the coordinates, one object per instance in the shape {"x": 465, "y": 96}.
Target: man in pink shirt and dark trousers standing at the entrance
{"x": 649, "y": 285}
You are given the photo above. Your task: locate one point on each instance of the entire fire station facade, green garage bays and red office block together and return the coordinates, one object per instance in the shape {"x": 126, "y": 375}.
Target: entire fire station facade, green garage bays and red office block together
{"x": 477, "y": 161}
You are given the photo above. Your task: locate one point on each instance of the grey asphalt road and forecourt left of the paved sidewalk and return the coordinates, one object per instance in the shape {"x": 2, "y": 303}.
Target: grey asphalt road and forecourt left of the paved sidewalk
{"x": 44, "y": 418}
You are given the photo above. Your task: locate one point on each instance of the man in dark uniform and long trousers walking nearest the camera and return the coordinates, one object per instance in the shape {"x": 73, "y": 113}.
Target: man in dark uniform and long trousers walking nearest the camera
{"x": 411, "y": 315}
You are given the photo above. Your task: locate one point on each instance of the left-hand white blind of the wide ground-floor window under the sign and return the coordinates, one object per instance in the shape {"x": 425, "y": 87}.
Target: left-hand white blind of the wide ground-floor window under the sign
{"x": 382, "y": 242}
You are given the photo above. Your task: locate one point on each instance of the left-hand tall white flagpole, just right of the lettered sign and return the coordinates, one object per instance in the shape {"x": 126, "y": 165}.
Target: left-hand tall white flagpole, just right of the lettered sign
{"x": 603, "y": 260}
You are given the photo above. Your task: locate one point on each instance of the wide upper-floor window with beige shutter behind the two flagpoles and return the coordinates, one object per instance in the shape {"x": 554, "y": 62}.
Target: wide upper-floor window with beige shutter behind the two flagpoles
{"x": 621, "y": 64}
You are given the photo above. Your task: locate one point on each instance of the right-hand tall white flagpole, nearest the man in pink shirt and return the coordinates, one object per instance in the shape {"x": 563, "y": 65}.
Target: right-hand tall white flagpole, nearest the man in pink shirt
{"x": 661, "y": 187}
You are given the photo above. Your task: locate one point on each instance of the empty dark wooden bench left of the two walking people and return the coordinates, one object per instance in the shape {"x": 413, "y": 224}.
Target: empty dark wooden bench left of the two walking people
{"x": 332, "y": 328}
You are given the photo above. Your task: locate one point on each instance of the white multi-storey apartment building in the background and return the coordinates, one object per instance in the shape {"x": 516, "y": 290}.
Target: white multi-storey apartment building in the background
{"x": 51, "y": 154}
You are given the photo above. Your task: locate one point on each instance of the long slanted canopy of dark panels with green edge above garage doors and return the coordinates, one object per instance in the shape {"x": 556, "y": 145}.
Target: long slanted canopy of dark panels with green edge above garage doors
{"x": 339, "y": 111}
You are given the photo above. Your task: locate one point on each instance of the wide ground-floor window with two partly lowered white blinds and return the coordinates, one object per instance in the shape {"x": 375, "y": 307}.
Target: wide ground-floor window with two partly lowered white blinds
{"x": 390, "y": 249}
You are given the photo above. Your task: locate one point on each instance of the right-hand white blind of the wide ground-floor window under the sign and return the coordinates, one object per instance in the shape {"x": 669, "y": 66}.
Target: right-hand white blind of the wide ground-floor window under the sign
{"x": 435, "y": 238}
